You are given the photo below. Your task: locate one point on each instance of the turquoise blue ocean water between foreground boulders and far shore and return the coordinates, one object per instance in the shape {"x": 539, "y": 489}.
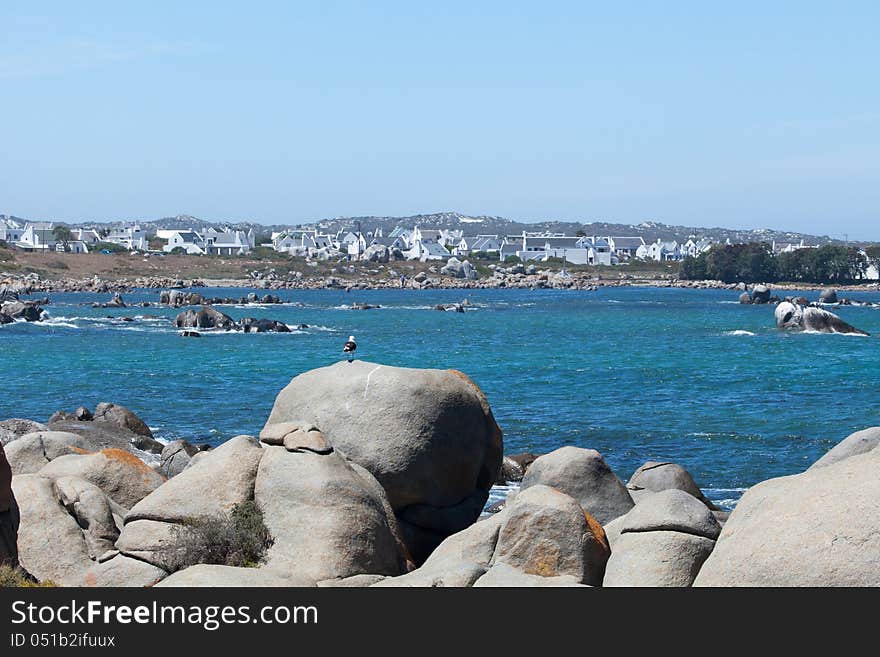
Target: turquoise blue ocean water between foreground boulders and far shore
{"x": 637, "y": 373}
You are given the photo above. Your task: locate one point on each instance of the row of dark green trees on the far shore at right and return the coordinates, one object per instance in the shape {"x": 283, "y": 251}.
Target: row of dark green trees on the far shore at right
{"x": 755, "y": 262}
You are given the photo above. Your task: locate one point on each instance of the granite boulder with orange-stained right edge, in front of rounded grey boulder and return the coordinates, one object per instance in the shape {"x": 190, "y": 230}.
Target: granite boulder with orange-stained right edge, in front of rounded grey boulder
{"x": 546, "y": 532}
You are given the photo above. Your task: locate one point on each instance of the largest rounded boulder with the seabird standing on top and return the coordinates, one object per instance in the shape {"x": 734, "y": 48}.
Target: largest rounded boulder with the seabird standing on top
{"x": 428, "y": 436}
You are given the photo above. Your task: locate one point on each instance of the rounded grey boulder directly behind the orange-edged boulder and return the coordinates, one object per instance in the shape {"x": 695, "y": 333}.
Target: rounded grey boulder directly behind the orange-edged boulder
{"x": 584, "y": 475}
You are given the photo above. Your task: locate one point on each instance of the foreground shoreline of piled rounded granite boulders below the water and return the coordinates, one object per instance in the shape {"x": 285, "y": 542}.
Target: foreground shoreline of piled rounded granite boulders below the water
{"x": 358, "y": 478}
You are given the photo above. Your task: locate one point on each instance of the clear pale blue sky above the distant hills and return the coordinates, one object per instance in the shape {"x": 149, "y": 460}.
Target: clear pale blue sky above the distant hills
{"x": 744, "y": 114}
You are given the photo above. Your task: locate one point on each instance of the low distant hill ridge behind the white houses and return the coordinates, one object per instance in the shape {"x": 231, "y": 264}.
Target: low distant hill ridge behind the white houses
{"x": 484, "y": 224}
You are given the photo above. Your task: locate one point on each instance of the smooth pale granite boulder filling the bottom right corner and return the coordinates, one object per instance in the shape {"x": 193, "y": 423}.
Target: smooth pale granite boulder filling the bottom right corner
{"x": 819, "y": 528}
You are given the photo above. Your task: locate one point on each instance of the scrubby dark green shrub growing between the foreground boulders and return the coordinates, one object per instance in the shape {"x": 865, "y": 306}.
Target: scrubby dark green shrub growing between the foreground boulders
{"x": 240, "y": 539}
